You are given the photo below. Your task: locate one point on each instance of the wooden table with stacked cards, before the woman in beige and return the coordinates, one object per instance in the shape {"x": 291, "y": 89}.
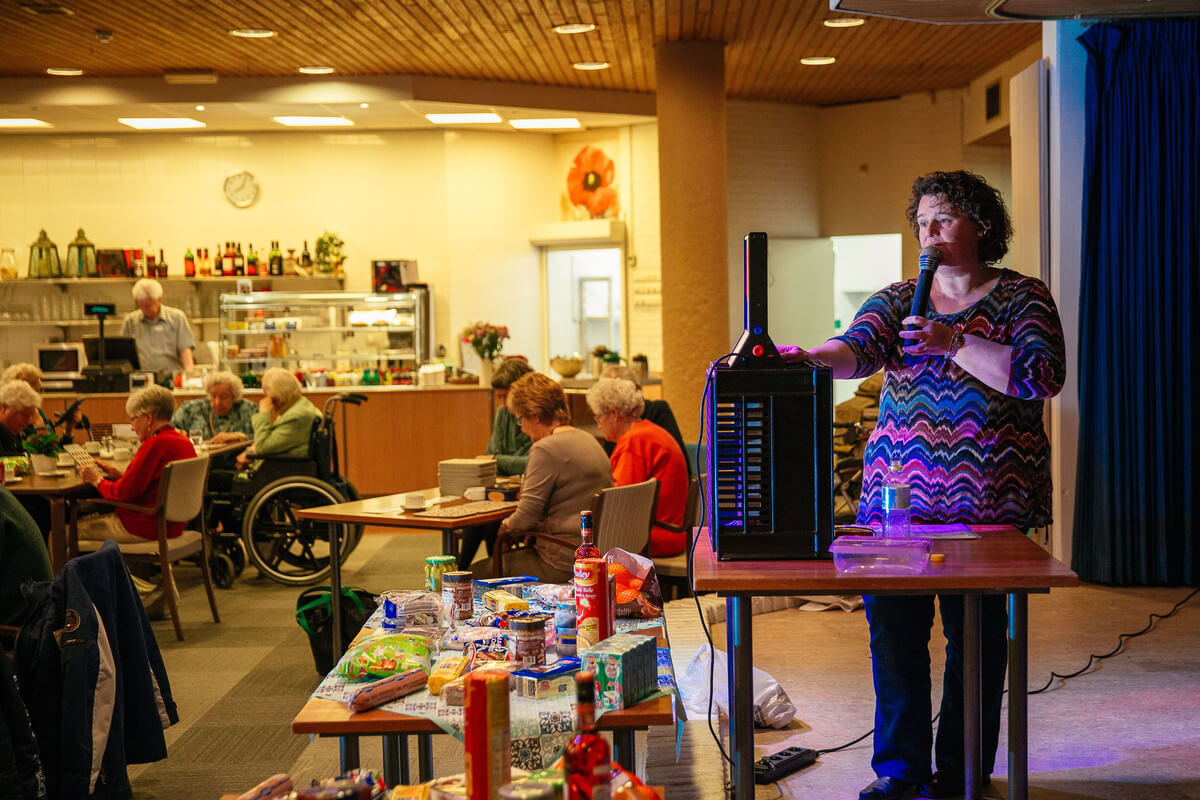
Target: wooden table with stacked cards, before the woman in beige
{"x": 389, "y": 513}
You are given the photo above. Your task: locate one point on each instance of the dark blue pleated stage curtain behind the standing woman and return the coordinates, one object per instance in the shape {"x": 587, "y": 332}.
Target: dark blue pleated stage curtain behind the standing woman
{"x": 1137, "y": 483}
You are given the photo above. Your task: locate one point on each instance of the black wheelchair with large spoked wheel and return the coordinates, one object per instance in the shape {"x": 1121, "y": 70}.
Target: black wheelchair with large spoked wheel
{"x": 257, "y": 519}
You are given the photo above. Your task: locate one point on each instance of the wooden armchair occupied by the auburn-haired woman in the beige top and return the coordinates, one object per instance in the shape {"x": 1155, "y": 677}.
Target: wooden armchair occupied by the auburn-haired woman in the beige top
{"x": 622, "y": 518}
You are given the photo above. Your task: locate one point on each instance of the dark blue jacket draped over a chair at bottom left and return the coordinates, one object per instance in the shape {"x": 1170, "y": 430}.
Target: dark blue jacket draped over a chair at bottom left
{"x": 93, "y": 678}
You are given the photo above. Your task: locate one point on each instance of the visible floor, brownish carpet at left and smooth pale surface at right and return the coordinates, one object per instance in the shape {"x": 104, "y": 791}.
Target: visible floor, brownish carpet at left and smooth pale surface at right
{"x": 1124, "y": 731}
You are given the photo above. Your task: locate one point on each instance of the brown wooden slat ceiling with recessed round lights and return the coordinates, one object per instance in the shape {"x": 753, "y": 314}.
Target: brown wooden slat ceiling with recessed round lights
{"x": 511, "y": 41}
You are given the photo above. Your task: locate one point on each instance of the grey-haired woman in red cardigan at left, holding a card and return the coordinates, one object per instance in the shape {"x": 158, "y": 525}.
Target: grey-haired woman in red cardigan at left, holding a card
{"x": 149, "y": 411}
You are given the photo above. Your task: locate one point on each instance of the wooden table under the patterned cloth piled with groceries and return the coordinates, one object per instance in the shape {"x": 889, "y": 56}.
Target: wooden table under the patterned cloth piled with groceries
{"x": 326, "y": 718}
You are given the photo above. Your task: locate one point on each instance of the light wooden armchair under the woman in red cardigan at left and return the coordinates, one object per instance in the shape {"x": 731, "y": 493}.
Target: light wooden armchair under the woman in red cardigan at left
{"x": 181, "y": 500}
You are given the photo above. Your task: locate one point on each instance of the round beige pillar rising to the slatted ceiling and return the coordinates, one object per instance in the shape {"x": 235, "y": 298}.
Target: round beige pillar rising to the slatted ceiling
{"x": 693, "y": 213}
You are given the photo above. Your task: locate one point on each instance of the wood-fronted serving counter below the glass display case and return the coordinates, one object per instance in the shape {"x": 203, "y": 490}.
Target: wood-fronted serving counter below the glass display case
{"x": 393, "y": 442}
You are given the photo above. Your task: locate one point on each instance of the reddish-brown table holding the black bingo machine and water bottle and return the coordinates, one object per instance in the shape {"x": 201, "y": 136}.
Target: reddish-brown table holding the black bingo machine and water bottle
{"x": 1003, "y": 561}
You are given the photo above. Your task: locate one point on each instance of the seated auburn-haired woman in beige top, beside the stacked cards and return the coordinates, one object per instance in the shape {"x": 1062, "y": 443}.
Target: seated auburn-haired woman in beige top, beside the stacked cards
{"x": 567, "y": 467}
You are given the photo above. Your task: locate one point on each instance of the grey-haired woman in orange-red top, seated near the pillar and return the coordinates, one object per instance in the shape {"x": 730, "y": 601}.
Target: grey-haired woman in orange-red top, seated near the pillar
{"x": 644, "y": 450}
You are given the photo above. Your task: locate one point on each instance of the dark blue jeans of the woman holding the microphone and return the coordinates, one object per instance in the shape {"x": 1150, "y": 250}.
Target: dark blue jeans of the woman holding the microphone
{"x": 901, "y": 628}
